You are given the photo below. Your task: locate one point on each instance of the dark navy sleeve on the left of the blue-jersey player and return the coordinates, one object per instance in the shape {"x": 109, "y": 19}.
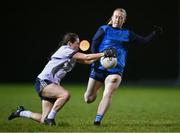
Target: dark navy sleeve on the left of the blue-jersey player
{"x": 97, "y": 40}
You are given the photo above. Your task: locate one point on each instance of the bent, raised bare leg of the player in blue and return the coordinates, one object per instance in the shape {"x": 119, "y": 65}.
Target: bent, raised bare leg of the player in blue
{"x": 92, "y": 89}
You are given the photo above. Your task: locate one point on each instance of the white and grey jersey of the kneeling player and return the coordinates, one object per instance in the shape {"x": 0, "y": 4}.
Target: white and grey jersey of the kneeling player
{"x": 60, "y": 63}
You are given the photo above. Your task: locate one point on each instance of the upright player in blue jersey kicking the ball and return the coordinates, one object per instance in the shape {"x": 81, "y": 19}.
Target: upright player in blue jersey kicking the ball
{"x": 115, "y": 37}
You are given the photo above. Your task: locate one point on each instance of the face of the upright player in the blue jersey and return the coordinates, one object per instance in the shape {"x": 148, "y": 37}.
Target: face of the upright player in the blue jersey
{"x": 118, "y": 19}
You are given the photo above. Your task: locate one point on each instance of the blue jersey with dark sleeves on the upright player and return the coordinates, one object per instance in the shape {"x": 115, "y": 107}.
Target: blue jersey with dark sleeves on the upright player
{"x": 118, "y": 38}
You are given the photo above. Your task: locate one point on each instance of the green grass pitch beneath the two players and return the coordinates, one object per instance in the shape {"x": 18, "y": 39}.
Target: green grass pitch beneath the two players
{"x": 142, "y": 109}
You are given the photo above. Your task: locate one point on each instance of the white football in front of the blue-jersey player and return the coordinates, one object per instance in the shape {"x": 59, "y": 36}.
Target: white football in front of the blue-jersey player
{"x": 108, "y": 62}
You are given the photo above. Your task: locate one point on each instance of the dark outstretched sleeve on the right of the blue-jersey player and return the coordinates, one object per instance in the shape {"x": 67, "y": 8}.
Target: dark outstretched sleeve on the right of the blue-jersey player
{"x": 135, "y": 38}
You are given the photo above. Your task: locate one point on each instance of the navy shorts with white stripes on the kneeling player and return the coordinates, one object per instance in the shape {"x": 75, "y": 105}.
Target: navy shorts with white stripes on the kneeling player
{"x": 39, "y": 86}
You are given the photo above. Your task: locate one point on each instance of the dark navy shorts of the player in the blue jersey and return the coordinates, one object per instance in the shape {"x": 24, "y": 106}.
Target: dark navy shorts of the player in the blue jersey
{"x": 100, "y": 75}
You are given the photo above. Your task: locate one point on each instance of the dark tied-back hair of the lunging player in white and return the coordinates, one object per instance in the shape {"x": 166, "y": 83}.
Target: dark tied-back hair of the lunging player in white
{"x": 69, "y": 37}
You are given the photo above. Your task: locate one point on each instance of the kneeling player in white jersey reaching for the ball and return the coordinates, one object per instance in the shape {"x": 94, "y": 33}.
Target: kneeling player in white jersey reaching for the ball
{"x": 53, "y": 95}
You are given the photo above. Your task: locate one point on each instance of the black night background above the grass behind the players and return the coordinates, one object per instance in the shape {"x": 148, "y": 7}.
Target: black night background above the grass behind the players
{"x": 33, "y": 29}
